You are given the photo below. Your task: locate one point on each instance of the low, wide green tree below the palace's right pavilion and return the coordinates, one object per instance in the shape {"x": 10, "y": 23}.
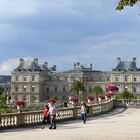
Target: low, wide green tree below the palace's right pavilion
{"x": 126, "y": 95}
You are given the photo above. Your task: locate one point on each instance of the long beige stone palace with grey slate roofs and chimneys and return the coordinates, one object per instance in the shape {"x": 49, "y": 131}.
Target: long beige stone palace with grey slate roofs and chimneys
{"x": 32, "y": 80}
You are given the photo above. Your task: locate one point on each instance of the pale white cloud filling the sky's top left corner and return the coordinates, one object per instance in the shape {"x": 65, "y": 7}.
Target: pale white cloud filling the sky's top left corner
{"x": 13, "y": 8}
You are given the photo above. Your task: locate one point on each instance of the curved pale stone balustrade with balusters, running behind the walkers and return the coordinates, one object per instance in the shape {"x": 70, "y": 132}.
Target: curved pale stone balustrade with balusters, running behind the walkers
{"x": 12, "y": 120}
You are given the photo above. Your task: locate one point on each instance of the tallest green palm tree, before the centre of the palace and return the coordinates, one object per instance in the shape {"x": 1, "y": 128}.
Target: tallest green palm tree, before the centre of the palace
{"x": 78, "y": 87}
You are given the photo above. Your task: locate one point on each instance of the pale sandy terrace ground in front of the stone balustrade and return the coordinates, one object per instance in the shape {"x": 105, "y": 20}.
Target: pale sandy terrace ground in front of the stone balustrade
{"x": 119, "y": 124}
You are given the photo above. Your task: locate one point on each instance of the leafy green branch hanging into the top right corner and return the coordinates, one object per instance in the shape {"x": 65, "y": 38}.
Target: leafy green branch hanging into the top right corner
{"x": 124, "y": 3}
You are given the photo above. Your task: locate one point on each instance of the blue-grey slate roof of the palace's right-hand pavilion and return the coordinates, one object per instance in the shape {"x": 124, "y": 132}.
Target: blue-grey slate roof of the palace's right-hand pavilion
{"x": 126, "y": 65}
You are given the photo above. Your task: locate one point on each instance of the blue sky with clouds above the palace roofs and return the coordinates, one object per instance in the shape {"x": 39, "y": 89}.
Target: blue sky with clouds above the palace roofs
{"x": 63, "y": 32}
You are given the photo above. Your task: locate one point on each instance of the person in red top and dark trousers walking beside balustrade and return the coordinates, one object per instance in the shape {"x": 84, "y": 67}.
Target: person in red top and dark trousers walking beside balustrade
{"x": 46, "y": 116}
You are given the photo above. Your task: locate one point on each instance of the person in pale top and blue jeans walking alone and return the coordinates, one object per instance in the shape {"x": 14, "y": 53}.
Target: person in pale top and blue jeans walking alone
{"x": 83, "y": 112}
